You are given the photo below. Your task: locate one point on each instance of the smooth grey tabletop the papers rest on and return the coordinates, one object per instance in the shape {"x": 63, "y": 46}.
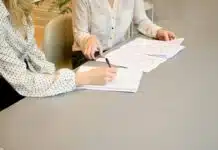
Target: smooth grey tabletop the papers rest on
{"x": 175, "y": 107}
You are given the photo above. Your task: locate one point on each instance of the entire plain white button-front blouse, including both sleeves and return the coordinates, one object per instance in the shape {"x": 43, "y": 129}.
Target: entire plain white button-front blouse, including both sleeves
{"x": 109, "y": 24}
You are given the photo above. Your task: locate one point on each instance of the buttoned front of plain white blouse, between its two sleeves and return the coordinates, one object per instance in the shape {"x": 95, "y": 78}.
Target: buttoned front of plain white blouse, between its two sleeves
{"x": 110, "y": 25}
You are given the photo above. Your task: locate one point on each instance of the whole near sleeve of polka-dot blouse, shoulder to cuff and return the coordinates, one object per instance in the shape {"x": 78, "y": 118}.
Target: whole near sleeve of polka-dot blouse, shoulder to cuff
{"x": 29, "y": 83}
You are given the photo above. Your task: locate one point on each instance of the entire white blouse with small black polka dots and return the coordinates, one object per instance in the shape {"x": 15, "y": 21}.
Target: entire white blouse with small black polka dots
{"x": 25, "y": 67}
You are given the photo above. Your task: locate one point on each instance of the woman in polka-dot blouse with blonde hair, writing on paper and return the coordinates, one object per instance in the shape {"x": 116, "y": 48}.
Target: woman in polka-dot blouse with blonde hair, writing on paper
{"x": 24, "y": 70}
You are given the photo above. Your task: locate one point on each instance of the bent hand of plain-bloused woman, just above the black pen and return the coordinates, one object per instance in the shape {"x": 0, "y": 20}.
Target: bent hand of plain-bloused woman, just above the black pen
{"x": 91, "y": 47}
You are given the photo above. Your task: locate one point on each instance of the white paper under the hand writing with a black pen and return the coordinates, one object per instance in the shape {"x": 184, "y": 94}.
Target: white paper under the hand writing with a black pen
{"x": 127, "y": 80}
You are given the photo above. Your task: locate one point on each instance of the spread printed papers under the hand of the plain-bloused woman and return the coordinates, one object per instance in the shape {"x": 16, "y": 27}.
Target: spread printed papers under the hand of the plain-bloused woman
{"x": 144, "y": 55}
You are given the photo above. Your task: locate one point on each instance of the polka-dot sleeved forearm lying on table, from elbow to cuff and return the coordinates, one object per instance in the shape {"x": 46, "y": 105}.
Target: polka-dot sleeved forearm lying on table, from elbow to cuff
{"x": 41, "y": 85}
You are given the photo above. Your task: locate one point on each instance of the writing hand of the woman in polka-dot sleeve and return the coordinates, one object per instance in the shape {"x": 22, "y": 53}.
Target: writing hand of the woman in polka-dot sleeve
{"x": 97, "y": 76}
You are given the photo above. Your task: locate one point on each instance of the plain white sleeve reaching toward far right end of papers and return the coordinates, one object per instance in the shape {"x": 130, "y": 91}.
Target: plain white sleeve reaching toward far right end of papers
{"x": 144, "y": 24}
